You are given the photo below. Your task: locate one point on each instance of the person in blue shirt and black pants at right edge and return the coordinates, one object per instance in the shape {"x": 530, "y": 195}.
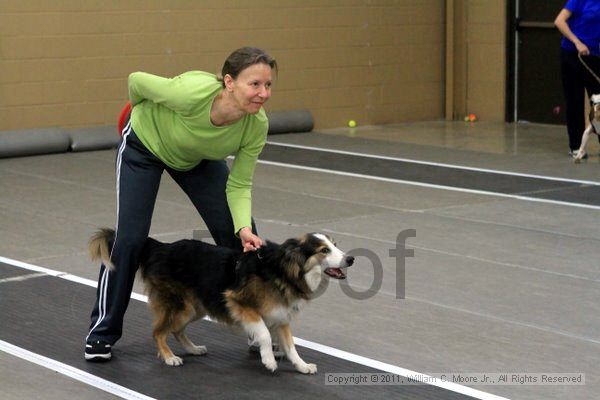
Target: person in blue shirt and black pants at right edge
{"x": 579, "y": 22}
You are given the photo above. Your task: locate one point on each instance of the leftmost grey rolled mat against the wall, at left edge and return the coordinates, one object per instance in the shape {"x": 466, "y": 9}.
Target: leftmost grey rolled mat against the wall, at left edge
{"x": 33, "y": 141}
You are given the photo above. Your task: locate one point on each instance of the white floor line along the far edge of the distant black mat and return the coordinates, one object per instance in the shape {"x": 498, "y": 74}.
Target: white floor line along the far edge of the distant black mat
{"x": 435, "y": 164}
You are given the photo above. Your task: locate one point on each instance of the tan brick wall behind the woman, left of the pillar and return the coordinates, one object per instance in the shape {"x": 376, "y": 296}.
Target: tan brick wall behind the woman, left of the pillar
{"x": 65, "y": 63}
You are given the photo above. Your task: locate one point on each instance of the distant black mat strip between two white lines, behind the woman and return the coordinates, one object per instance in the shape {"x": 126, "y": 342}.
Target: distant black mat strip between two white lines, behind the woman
{"x": 570, "y": 192}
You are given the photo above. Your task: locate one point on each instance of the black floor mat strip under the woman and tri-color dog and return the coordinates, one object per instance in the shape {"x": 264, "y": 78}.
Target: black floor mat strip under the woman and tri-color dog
{"x": 49, "y": 316}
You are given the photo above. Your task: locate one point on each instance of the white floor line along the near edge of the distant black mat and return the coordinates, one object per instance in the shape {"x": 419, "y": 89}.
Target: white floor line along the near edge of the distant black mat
{"x": 429, "y": 185}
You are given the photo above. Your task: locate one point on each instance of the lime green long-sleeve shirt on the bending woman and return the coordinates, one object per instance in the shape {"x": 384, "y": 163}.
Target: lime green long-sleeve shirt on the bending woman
{"x": 171, "y": 117}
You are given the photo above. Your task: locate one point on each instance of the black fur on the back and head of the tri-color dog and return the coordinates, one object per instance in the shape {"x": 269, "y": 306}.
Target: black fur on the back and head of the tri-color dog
{"x": 211, "y": 270}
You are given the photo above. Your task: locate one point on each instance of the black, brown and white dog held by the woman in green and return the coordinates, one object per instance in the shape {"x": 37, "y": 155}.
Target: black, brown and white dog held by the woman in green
{"x": 259, "y": 291}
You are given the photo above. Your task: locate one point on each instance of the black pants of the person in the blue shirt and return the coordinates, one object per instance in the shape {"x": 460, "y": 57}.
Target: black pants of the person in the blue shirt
{"x": 576, "y": 79}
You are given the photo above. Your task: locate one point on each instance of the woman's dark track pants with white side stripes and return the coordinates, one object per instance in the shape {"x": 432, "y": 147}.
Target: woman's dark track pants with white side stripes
{"x": 138, "y": 179}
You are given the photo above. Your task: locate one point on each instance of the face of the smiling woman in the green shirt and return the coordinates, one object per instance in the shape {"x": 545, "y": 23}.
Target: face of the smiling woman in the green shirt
{"x": 252, "y": 87}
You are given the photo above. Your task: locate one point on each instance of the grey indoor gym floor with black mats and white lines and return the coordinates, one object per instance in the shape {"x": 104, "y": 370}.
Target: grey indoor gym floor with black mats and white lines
{"x": 505, "y": 276}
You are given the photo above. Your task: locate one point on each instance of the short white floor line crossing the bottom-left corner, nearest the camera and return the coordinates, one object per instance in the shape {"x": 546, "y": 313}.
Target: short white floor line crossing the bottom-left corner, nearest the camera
{"x": 72, "y": 372}
